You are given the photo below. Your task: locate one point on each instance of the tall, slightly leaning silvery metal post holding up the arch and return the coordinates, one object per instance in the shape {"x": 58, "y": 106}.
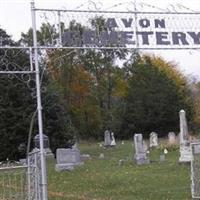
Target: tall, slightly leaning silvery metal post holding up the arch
{"x": 39, "y": 107}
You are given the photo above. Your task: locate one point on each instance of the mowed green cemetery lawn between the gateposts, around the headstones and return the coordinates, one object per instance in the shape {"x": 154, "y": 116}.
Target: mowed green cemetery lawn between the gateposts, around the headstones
{"x": 106, "y": 180}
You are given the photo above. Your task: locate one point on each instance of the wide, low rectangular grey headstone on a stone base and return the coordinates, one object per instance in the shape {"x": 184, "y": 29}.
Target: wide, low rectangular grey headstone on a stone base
{"x": 67, "y": 159}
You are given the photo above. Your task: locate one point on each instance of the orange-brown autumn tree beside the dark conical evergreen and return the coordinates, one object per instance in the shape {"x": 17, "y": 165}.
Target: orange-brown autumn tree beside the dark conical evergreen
{"x": 75, "y": 84}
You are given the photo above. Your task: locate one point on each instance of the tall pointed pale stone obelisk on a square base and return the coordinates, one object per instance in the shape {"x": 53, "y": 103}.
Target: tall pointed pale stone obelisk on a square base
{"x": 185, "y": 151}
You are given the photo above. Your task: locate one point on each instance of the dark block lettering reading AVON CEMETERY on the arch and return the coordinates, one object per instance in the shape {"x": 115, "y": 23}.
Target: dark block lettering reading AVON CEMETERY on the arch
{"x": 146, "y": 32}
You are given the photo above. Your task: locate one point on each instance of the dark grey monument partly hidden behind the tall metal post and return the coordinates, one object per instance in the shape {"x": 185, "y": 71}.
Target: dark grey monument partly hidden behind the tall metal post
{"x": 47, "y": 150}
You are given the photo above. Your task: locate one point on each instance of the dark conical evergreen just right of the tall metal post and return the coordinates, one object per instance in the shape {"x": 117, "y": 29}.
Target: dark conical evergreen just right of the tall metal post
{"x": 57, "y": 122}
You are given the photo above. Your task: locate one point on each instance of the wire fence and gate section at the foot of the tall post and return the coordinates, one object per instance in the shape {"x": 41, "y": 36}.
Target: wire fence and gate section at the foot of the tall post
{"x": 20, "y": 181}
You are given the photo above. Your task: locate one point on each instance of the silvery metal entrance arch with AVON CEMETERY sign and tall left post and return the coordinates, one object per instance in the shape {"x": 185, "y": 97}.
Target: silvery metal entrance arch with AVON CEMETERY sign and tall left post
{"x": 95, "y": 29}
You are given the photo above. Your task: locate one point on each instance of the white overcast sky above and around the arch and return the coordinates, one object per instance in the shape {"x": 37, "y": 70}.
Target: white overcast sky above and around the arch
{"x": 15, "y": 17}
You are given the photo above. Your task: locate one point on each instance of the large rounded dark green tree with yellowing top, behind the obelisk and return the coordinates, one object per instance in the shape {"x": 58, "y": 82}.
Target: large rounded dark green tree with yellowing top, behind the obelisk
{"x": 156, "y": 94}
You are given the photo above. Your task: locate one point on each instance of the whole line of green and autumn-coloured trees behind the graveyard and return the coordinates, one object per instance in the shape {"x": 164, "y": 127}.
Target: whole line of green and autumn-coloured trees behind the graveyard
{"x": 89, "y": 91}
